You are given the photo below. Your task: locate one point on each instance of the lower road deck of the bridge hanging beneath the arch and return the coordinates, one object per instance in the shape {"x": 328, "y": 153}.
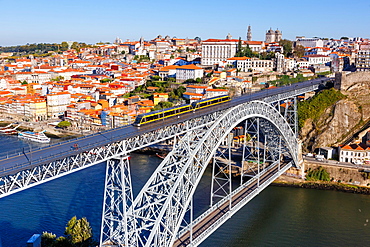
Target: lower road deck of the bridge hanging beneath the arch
{"x": 214, "y": 216}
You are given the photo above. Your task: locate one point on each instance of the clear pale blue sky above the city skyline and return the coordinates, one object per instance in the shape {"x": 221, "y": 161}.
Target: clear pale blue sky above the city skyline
{"x": 91, "y": 21}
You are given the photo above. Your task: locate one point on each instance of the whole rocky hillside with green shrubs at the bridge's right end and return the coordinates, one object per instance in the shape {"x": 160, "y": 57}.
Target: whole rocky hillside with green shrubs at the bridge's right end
{"x": 333, "y": 118}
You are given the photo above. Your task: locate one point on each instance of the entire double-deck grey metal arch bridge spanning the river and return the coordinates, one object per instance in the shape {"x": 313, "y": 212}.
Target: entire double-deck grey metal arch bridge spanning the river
{"x": 161, "y": 215}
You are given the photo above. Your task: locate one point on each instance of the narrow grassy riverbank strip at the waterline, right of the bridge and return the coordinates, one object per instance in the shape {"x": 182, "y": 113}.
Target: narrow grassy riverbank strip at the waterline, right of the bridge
{"x": 319, "y": 185}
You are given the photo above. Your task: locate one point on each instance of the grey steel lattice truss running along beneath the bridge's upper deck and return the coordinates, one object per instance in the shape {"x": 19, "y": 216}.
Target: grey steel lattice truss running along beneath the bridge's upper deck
{"x": 43, "y": 171}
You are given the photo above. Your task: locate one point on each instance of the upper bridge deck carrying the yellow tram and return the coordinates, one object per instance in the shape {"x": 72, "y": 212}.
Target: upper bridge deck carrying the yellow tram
{"x": 29, "y": 159}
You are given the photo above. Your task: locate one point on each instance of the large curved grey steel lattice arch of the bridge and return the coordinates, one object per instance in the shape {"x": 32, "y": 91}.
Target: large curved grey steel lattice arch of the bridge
{"x": 162, "y": 203}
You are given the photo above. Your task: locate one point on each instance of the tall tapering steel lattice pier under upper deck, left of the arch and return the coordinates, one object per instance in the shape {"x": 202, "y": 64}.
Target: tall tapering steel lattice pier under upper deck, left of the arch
{"x": 116, "y": 220}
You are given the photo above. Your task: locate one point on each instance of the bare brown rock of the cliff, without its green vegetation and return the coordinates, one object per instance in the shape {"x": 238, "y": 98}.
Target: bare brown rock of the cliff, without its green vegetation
{"x": 341, "y": 120}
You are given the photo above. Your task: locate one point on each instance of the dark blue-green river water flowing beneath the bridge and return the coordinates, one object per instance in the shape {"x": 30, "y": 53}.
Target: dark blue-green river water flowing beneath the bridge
{"x": 277, "y": 217}
